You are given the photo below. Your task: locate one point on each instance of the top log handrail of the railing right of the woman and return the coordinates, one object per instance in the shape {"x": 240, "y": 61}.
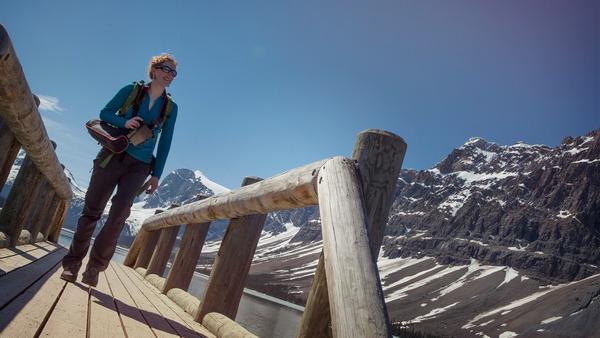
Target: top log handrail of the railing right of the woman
{"x": 293, "y": 189}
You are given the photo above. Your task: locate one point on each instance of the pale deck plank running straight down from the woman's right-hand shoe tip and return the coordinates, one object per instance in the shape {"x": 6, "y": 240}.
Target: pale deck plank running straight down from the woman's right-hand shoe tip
{"x": 104, "y": 320}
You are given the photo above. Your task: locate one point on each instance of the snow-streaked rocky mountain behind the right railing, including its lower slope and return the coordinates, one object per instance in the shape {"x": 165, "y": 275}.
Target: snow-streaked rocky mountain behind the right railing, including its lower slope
{"x": 492, "y": 241}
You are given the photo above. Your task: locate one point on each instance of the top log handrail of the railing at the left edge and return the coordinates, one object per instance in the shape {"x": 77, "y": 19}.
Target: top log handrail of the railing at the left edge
{"x": 19, "y": 112}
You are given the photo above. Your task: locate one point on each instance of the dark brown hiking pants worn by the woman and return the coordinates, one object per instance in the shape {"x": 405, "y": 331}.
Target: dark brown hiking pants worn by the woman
{"x": 128, "y": 175}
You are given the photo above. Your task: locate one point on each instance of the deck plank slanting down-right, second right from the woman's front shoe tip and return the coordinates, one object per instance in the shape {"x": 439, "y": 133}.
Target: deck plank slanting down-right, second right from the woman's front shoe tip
{"x": 134, "y": 323}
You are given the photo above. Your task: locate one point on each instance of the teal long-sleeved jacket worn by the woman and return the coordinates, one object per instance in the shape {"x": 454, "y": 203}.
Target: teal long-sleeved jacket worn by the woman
{"x": 144, "y": 151}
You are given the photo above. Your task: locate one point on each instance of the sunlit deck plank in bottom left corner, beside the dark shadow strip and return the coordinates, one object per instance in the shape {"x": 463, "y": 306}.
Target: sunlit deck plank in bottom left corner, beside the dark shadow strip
{"x": 24, "y": 316}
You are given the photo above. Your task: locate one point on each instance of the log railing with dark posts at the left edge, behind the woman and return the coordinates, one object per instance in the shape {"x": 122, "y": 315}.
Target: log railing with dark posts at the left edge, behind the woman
{"x": 39, "y": 198}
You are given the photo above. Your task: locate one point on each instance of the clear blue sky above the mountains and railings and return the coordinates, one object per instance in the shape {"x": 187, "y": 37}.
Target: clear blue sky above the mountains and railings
{"x": 266, "y": 86}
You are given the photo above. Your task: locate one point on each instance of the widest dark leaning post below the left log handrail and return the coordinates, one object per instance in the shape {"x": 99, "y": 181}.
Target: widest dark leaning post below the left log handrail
{"x": 19, "y": 202}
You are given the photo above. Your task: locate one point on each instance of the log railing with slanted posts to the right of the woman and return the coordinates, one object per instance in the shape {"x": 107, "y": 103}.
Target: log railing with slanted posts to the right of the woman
{"x": 354, "y": 198}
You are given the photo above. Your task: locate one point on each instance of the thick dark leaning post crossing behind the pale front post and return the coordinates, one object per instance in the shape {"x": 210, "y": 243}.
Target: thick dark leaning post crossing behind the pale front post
{"x": 379, "y": 155}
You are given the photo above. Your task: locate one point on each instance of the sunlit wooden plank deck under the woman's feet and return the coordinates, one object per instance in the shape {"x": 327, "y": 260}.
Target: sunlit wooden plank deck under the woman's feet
{"x": 35, "y": 302}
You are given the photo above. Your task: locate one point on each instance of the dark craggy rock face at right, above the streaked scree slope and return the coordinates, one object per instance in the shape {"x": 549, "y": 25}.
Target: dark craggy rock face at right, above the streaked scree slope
{"x": 533, "y": 208}
